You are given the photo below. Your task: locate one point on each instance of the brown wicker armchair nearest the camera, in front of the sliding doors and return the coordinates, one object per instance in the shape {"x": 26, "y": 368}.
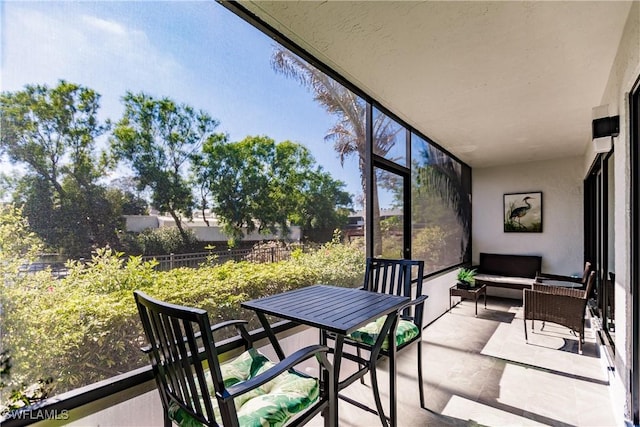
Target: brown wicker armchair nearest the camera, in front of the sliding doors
{"x": 557, "y": 304}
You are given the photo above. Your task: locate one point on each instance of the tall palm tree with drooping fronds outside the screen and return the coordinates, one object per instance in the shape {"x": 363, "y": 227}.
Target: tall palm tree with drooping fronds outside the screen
{"x": 348, "y": 134}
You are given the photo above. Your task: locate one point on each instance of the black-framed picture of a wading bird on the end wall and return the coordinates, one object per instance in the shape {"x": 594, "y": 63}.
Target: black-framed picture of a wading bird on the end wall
{"x": 522, "y": 212}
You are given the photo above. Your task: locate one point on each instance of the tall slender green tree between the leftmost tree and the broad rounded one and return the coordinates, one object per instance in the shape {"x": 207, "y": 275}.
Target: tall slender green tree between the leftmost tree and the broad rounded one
{"x": 158, "y": 137}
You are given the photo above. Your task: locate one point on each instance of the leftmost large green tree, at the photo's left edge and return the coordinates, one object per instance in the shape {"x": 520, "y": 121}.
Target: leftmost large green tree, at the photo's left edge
{"x": 52, "y": 133}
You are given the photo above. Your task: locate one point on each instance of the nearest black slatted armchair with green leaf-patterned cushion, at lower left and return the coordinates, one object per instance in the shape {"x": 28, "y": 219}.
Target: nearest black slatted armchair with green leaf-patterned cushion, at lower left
{"x": 195, "y": 388}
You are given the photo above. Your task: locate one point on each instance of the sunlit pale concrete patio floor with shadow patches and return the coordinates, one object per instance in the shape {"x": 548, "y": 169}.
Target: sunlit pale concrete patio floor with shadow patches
{"x": 479, "y": 371}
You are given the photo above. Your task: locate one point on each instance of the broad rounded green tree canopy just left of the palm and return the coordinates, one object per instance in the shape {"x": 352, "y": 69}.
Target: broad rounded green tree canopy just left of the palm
{"x": 262, "y": 185}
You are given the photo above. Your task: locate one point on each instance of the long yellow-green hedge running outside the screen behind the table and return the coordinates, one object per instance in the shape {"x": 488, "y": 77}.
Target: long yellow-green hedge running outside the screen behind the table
{"x": 84, "y": 327}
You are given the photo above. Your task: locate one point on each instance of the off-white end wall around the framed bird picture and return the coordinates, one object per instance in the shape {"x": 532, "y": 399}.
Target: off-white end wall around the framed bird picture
{"x": 561, "y": 242}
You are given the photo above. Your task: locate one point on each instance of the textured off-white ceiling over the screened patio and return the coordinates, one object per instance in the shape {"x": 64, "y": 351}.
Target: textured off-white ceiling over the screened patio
{"x": 492, "y": 82}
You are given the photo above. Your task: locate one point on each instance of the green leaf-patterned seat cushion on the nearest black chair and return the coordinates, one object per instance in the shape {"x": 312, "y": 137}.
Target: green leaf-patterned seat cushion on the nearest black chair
{"x": 270, "y": 405}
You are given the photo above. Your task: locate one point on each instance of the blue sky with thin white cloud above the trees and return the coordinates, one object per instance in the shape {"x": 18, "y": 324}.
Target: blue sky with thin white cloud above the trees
{"x": 196, "y": 53}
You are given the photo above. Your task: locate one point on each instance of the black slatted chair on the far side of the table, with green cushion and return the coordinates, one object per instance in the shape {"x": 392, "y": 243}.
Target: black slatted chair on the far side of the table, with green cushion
{"x": 396, "y": 277}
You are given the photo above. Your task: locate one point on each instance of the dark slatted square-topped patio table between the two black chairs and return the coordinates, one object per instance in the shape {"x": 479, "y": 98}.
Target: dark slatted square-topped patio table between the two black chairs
{"x": 340, "y": 311}
